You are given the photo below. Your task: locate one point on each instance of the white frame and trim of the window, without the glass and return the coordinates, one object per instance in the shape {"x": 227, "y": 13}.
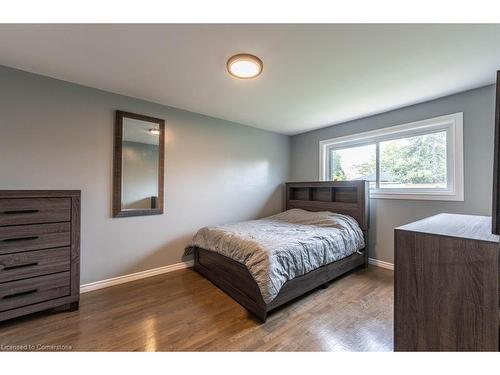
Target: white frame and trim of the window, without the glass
{"x": 452, "y": 124}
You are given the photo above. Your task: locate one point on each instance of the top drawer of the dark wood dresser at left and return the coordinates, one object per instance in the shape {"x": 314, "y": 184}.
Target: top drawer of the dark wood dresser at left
{"x": 17, "y": 211}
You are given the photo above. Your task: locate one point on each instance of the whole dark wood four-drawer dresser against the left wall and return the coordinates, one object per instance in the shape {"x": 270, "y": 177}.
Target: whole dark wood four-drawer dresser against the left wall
{"x": 39, "y": 251}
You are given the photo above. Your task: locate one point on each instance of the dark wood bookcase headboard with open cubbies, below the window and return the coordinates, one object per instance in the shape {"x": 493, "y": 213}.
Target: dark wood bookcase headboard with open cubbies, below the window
{"x": 343, "y": 197}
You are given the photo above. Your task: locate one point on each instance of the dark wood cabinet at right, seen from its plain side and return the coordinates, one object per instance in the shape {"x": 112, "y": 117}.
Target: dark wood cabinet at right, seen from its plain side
{"x": 446, "y": 285}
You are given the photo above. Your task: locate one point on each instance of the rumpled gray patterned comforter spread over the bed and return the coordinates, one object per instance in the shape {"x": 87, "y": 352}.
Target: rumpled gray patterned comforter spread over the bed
{"x": 281, "y": 247}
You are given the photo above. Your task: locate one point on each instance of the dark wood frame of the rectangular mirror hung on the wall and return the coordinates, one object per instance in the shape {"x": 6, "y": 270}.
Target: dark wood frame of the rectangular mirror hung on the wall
{"x": 117, "y": 166}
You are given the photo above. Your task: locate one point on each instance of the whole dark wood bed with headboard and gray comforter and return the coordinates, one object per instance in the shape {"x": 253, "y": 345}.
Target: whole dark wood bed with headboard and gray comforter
{"x": 344, "y": 202}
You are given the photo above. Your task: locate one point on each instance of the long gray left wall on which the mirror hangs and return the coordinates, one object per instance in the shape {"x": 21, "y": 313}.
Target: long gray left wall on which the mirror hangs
{"x": 57, "y": 135}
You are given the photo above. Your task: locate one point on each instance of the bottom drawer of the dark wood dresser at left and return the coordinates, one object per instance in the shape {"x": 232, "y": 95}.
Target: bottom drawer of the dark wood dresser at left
{"x": 37, "y": 289}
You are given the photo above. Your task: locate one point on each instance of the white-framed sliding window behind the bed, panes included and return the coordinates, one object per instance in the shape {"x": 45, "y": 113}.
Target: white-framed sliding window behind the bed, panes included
{"x": 420, "y": 160}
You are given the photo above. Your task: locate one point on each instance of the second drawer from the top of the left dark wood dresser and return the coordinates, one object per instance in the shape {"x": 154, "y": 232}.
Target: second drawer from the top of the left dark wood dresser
{"x": 34, "y": 237}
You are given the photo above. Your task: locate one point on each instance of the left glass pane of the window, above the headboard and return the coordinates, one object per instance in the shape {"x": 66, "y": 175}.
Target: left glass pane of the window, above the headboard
{"x": 354, "y": 163}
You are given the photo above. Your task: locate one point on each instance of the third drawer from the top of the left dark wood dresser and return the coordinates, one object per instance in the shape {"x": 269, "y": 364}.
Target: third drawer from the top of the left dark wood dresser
{"x": 34, "y": 263}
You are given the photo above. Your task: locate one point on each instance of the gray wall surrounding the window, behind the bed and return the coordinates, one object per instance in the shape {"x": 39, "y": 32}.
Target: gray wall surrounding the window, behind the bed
{"x": 479, "y": 109}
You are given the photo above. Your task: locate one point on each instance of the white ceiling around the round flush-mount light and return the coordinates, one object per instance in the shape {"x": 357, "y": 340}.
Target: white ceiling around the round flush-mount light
{"x": 314, "y": 75}
